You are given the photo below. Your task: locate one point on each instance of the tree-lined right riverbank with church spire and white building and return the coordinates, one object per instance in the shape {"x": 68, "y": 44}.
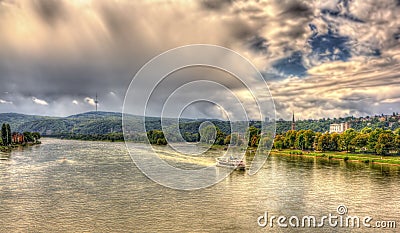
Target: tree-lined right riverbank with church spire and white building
{"x": 342, "y": 142}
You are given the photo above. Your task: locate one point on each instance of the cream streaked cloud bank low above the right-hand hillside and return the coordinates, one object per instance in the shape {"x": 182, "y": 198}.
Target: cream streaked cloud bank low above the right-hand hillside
{"x": 338, "y": 89}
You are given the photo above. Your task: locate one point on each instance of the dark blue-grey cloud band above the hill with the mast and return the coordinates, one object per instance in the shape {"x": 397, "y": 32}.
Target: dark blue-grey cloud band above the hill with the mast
{"x": 53, "y": 79}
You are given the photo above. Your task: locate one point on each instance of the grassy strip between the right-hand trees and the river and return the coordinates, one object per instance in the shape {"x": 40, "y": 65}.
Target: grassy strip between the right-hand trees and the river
{"x": 365, "y": 158}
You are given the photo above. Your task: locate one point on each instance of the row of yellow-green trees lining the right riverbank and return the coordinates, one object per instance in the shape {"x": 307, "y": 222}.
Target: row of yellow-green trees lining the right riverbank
{"x": 367, "y": 140}
